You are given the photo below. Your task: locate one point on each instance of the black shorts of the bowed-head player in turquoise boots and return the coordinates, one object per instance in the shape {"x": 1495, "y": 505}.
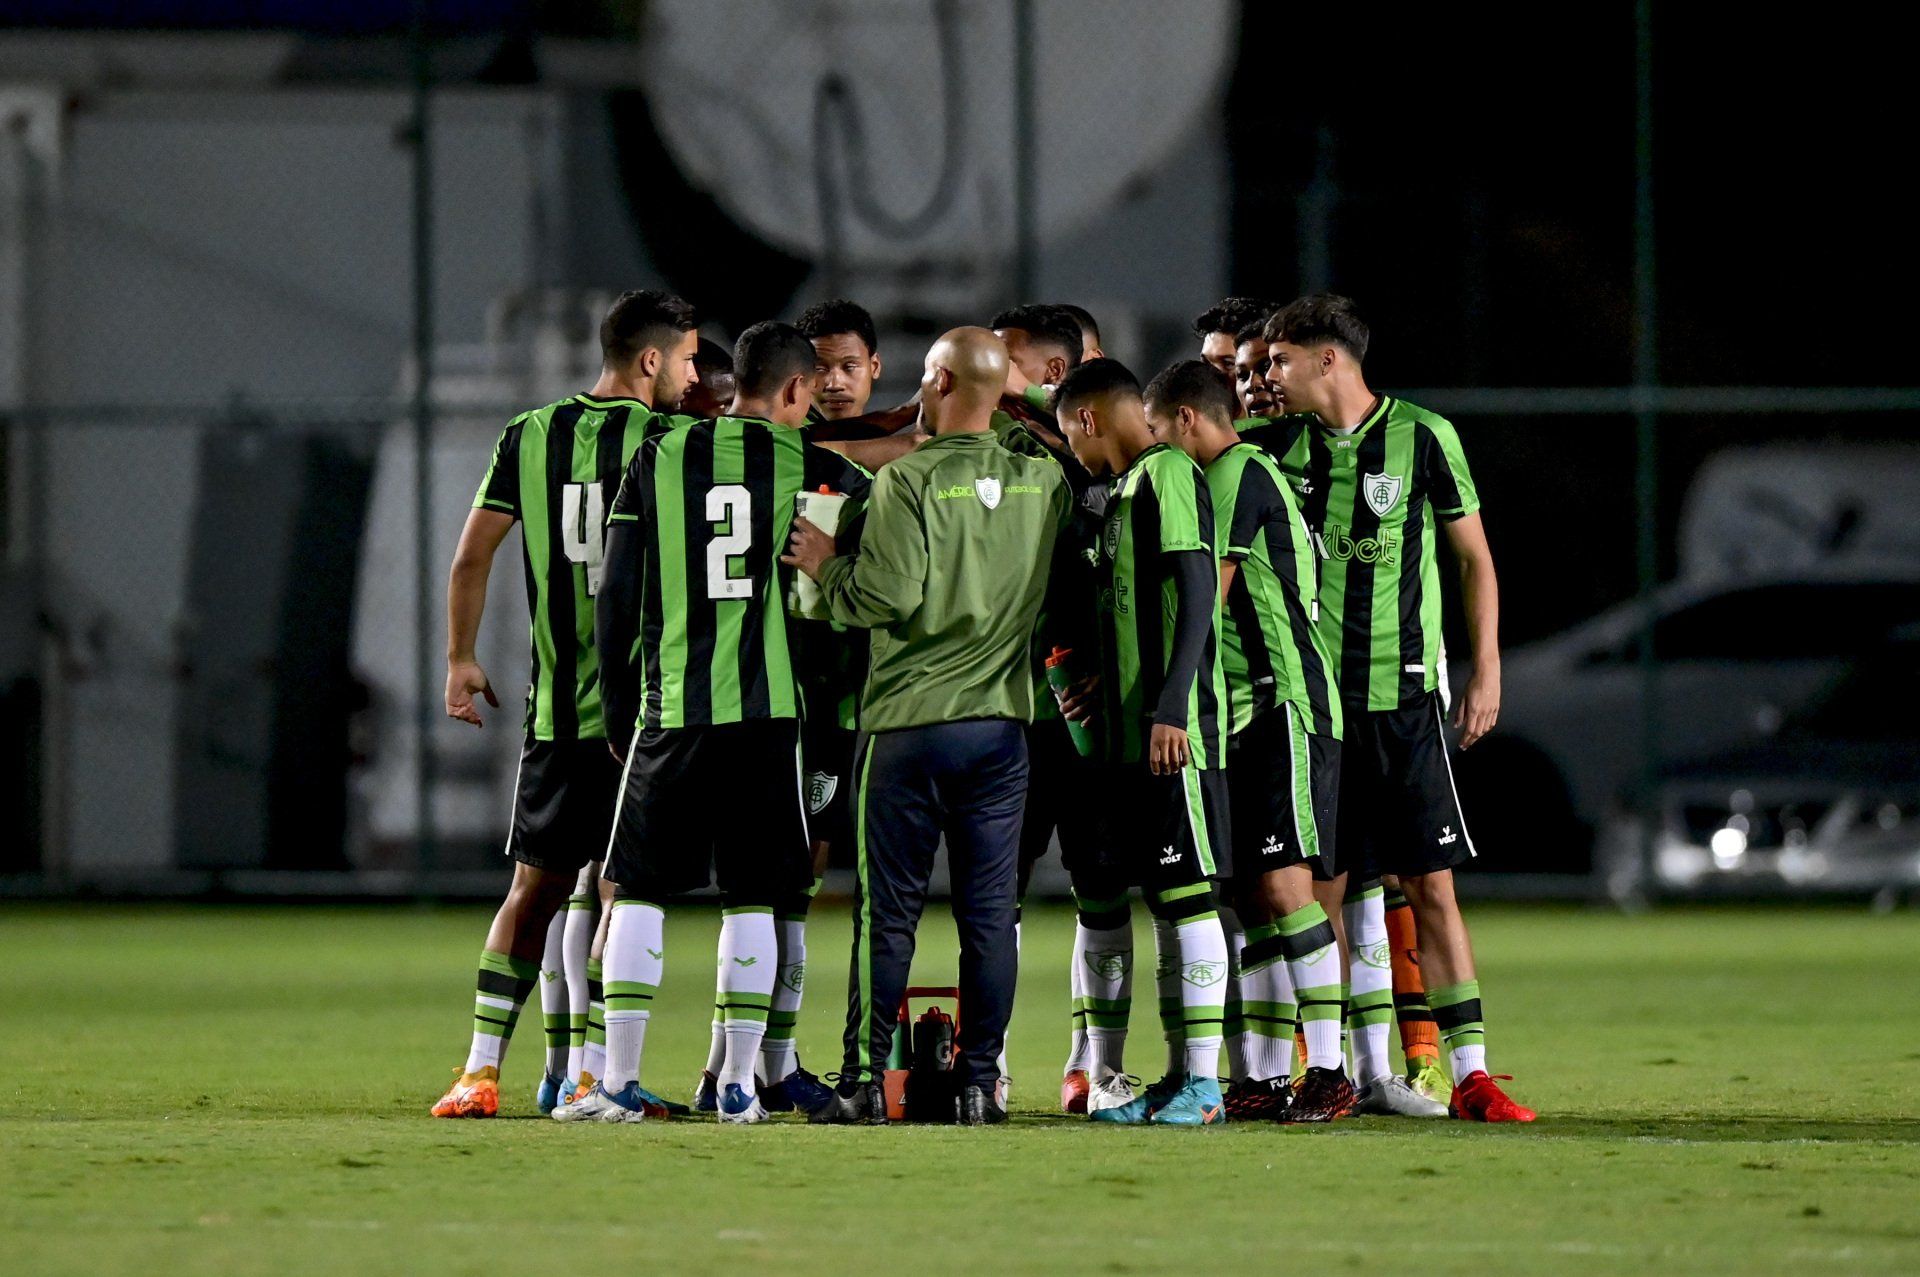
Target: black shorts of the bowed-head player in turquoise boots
{"x": 1168, "y": 831}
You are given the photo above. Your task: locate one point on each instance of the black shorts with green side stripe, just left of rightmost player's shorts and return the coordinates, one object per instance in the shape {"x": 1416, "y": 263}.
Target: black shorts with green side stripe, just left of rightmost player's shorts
{"x": 1285, "y": 786}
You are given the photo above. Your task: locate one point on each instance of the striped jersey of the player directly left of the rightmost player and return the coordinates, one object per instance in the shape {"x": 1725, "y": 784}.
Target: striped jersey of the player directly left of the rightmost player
{"x": 1272, "y": 646}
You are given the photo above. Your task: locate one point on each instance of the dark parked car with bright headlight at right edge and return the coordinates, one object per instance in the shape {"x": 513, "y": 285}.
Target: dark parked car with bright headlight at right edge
{"x": 1833, "y": 804}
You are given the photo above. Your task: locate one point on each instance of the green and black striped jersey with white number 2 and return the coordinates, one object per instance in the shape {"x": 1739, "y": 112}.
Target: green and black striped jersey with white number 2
{"x": 715, "y": 506}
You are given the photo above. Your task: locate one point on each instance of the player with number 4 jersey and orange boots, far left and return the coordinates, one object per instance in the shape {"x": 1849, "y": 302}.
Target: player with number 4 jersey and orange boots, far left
{"x": 554, "y": 471}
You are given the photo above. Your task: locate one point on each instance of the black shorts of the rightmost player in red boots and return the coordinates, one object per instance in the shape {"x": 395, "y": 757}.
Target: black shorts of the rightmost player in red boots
{"x": 1399, "y": 807}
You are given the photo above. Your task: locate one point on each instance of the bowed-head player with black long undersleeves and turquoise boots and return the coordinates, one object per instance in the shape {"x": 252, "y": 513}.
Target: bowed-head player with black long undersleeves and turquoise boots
{"x": 1163, "y": 713}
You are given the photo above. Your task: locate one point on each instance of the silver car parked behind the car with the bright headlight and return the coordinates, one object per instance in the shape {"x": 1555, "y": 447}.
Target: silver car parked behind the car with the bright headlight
{"x": 1739, "y": 660}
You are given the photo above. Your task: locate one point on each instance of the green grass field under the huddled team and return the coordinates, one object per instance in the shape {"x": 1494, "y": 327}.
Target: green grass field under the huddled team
{"x": 247, "y": 1090}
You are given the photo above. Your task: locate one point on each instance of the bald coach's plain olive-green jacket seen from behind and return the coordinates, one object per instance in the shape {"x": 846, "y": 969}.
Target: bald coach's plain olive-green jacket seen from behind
{"x": 951, "y": 577}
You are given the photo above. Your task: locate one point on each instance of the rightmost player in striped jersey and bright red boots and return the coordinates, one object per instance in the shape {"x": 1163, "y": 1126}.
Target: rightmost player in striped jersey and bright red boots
{"x": 1378, "y": 475}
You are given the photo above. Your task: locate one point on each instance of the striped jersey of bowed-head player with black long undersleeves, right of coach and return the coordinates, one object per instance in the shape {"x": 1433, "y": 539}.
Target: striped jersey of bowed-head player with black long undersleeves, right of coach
{"x": 1161, "y": 508}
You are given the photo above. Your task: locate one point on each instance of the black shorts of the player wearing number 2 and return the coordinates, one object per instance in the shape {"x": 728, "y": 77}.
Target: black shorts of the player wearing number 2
{"x": 715, "y": 802}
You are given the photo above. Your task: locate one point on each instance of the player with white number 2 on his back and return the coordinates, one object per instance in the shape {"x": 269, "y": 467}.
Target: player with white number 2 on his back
{"x": 704, "y": 706}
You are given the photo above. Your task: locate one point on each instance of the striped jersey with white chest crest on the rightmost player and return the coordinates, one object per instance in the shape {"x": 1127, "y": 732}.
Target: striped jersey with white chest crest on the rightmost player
{"x": 1372, "y": 498}
